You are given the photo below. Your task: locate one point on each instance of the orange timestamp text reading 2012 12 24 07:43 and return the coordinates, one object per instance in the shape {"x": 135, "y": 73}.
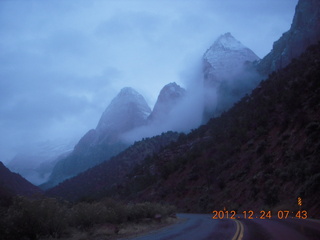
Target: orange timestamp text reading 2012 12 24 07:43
{"x": 281, "y": 214}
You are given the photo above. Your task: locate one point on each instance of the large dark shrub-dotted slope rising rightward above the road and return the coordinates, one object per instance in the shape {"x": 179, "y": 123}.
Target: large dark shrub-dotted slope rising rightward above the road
{"x": 261, "y": 154}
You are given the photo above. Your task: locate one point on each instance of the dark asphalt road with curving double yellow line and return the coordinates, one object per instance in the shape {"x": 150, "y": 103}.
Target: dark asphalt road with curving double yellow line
{"x": 203, "y": 227}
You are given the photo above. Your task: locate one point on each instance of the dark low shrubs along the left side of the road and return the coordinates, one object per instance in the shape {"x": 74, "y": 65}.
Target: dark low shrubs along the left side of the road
{"x": 45, "y": 218}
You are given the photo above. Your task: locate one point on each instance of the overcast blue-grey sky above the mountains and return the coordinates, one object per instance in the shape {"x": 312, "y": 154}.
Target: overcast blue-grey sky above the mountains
{"x": 61, "y": 62}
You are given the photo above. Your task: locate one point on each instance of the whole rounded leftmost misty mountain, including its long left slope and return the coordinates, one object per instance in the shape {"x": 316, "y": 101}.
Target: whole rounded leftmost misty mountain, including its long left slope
{"x": 126, "y": 111}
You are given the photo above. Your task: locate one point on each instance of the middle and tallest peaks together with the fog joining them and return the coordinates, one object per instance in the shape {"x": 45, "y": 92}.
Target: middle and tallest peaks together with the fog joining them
{"x": 228, "y": 74}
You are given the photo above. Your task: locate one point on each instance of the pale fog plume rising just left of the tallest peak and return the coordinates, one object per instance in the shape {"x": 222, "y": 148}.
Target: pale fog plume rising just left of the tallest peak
{"x": 185, "y": 114}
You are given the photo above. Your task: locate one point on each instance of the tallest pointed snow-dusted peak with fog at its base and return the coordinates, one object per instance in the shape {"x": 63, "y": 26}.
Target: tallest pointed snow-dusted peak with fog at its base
{"x": 228, "y": 74}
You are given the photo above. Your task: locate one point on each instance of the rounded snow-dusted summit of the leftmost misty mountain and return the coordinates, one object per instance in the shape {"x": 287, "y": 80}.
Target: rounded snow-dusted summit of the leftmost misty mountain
{"x": 127, "y": 110}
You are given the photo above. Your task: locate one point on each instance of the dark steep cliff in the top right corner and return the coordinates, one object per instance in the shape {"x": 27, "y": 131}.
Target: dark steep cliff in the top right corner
{"x": 304, "y": 31}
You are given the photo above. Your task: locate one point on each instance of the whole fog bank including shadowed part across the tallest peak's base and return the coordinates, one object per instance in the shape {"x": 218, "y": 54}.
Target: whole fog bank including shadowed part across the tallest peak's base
{"x": 200, "y": 102}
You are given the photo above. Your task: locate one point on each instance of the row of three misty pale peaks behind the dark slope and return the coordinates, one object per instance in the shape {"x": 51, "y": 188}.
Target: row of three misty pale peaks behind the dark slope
{"x": 228, "y": 75}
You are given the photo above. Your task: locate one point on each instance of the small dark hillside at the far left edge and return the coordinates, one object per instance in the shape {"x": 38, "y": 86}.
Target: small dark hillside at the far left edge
{"x": 12, "y": 184}
